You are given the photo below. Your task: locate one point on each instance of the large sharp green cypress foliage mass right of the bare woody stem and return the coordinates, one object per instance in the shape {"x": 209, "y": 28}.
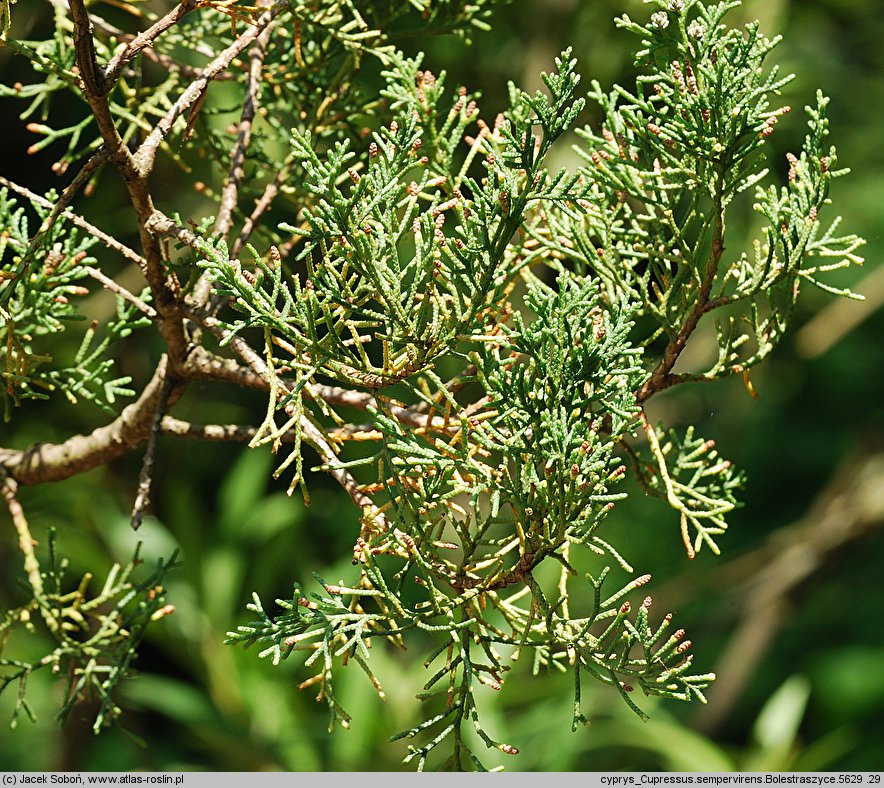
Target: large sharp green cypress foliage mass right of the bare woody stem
{"x": 526, "y": 466}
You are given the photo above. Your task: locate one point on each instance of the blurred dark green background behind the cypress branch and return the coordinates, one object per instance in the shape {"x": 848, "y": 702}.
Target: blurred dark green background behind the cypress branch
{"x": 790, "y": 616}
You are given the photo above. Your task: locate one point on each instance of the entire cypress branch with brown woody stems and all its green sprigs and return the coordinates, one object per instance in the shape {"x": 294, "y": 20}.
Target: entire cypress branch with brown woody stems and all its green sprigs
{"x": 501, "y": 326}
